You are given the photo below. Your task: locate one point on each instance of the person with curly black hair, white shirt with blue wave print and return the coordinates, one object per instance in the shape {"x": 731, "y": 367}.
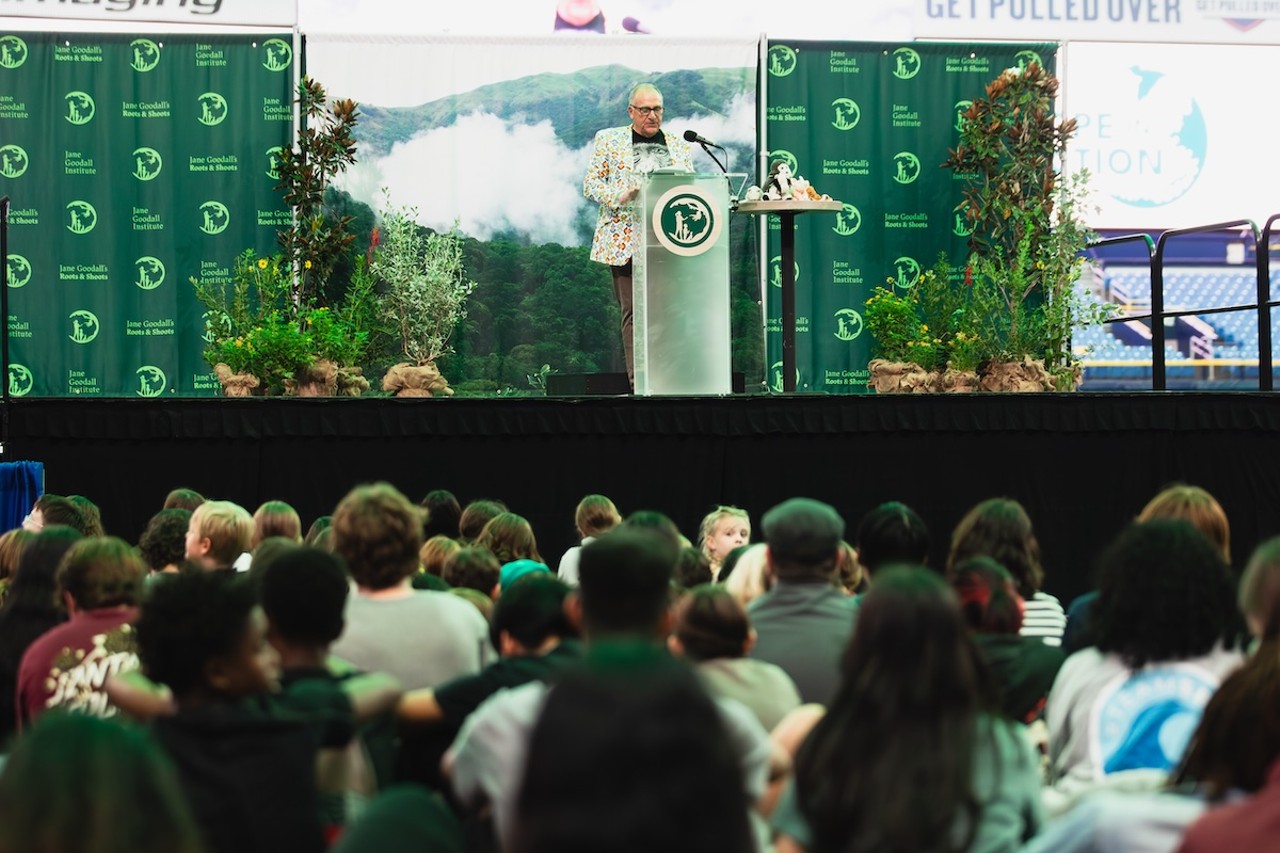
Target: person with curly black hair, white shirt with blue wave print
{"x": 1163, "y": 632}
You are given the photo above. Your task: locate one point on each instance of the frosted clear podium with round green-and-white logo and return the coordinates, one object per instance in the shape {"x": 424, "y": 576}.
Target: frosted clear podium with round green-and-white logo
{"x": 680, "y": 282}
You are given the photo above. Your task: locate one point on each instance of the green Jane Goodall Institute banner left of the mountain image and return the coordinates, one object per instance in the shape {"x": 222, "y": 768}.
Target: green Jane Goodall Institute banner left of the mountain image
{"x": 134, "y": 165}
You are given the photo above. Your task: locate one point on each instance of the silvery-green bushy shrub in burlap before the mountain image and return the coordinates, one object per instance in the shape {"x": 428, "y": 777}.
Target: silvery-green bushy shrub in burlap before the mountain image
{"x": 424, "y": 295}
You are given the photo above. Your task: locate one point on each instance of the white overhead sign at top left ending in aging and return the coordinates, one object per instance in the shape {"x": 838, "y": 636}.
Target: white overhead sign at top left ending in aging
{"x": 220, "y": 13}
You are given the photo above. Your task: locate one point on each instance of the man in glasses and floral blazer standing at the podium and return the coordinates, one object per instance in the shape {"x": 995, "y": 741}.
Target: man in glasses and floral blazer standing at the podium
{"x": 621, "y": 158}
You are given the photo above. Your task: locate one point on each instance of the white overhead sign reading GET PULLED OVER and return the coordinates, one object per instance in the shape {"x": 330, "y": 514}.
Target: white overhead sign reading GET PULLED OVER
{"x": 1156, "y": 21}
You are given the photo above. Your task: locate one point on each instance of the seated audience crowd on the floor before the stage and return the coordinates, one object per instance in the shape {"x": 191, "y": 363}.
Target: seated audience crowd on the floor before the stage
{"x": 269, "y": 715}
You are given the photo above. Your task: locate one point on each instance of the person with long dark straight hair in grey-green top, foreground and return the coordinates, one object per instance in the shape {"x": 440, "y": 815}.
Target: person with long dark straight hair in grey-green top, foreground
{"x": 912, "y": 754}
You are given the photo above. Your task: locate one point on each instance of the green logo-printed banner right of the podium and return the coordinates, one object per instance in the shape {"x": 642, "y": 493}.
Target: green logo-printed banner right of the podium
{"x": 868, "y": 125}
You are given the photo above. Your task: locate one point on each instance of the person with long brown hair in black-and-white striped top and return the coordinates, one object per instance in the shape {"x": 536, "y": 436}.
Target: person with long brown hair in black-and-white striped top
{"x": 1000, "y": 530}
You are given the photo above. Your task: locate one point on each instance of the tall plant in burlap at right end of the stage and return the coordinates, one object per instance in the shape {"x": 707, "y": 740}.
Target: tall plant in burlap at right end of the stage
{"x": 1028, "y": 234}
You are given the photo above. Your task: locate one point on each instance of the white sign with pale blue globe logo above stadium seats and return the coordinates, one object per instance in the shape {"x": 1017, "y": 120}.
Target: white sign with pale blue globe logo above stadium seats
{"x": 1172, "y": 135}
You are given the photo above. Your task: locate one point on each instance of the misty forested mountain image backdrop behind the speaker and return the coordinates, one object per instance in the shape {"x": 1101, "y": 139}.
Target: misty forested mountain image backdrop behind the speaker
{"x": 504, "y": 163}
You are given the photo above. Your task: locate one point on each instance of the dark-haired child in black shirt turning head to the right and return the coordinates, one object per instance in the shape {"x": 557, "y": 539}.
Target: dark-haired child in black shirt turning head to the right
{"x": 246, "y": 761}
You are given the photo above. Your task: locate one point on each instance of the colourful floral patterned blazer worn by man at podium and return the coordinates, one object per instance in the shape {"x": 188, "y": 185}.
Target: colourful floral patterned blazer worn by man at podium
{"x": 609, "y": 179}
